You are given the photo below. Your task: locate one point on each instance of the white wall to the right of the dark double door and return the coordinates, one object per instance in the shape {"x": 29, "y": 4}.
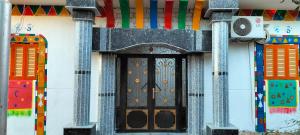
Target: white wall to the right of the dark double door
{"x": 241, "y": 84}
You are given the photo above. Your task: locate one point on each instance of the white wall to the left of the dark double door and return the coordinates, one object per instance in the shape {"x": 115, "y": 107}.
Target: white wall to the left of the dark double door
{"x": 59, "y": 32}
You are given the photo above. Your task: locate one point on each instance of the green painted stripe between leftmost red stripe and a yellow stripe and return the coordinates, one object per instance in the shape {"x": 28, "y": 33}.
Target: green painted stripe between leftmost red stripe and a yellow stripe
{"x": 125, "y": 11}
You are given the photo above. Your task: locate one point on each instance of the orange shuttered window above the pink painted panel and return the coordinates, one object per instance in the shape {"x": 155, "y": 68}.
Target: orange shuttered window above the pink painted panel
{"x": 23, "y": 61}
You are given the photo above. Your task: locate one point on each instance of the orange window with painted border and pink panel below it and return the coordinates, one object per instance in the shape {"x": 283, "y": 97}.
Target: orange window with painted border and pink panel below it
{"x": 33, "y": 67}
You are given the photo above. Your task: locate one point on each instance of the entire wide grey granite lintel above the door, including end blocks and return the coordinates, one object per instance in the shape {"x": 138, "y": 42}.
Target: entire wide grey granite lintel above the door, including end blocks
{"x": 116, "y": 40}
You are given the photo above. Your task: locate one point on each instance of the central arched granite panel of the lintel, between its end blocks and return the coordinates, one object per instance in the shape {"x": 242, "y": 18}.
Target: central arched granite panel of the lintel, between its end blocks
{"x": 122, "y": 38}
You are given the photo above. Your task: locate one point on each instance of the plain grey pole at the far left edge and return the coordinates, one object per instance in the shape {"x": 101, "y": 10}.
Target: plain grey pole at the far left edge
{"x": 5, "y": 16}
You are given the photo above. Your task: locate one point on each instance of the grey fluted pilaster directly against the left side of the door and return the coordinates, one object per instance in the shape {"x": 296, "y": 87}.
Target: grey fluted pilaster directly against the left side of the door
{"x": 107, "y": 95}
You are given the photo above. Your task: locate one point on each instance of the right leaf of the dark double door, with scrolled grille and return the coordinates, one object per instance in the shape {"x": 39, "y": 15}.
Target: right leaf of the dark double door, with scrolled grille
{"x": 165, "y": 94}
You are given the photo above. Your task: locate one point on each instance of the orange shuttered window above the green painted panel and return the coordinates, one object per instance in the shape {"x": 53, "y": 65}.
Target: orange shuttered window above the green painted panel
{"x": 281, "y": 62}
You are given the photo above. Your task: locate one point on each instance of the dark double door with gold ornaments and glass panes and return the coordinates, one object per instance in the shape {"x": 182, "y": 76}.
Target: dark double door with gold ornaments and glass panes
{"x": 151, "y": 93}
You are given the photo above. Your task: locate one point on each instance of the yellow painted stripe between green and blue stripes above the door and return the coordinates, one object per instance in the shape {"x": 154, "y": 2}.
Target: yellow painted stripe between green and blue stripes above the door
{"x": 139, "y": 14}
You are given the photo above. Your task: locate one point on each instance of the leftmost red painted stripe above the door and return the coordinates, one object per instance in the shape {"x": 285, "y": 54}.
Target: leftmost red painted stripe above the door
{"x": 109, "y": 11}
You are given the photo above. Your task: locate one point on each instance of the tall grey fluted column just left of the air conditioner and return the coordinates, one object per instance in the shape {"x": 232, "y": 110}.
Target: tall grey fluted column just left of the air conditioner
{"x": 220, "y": 40}
